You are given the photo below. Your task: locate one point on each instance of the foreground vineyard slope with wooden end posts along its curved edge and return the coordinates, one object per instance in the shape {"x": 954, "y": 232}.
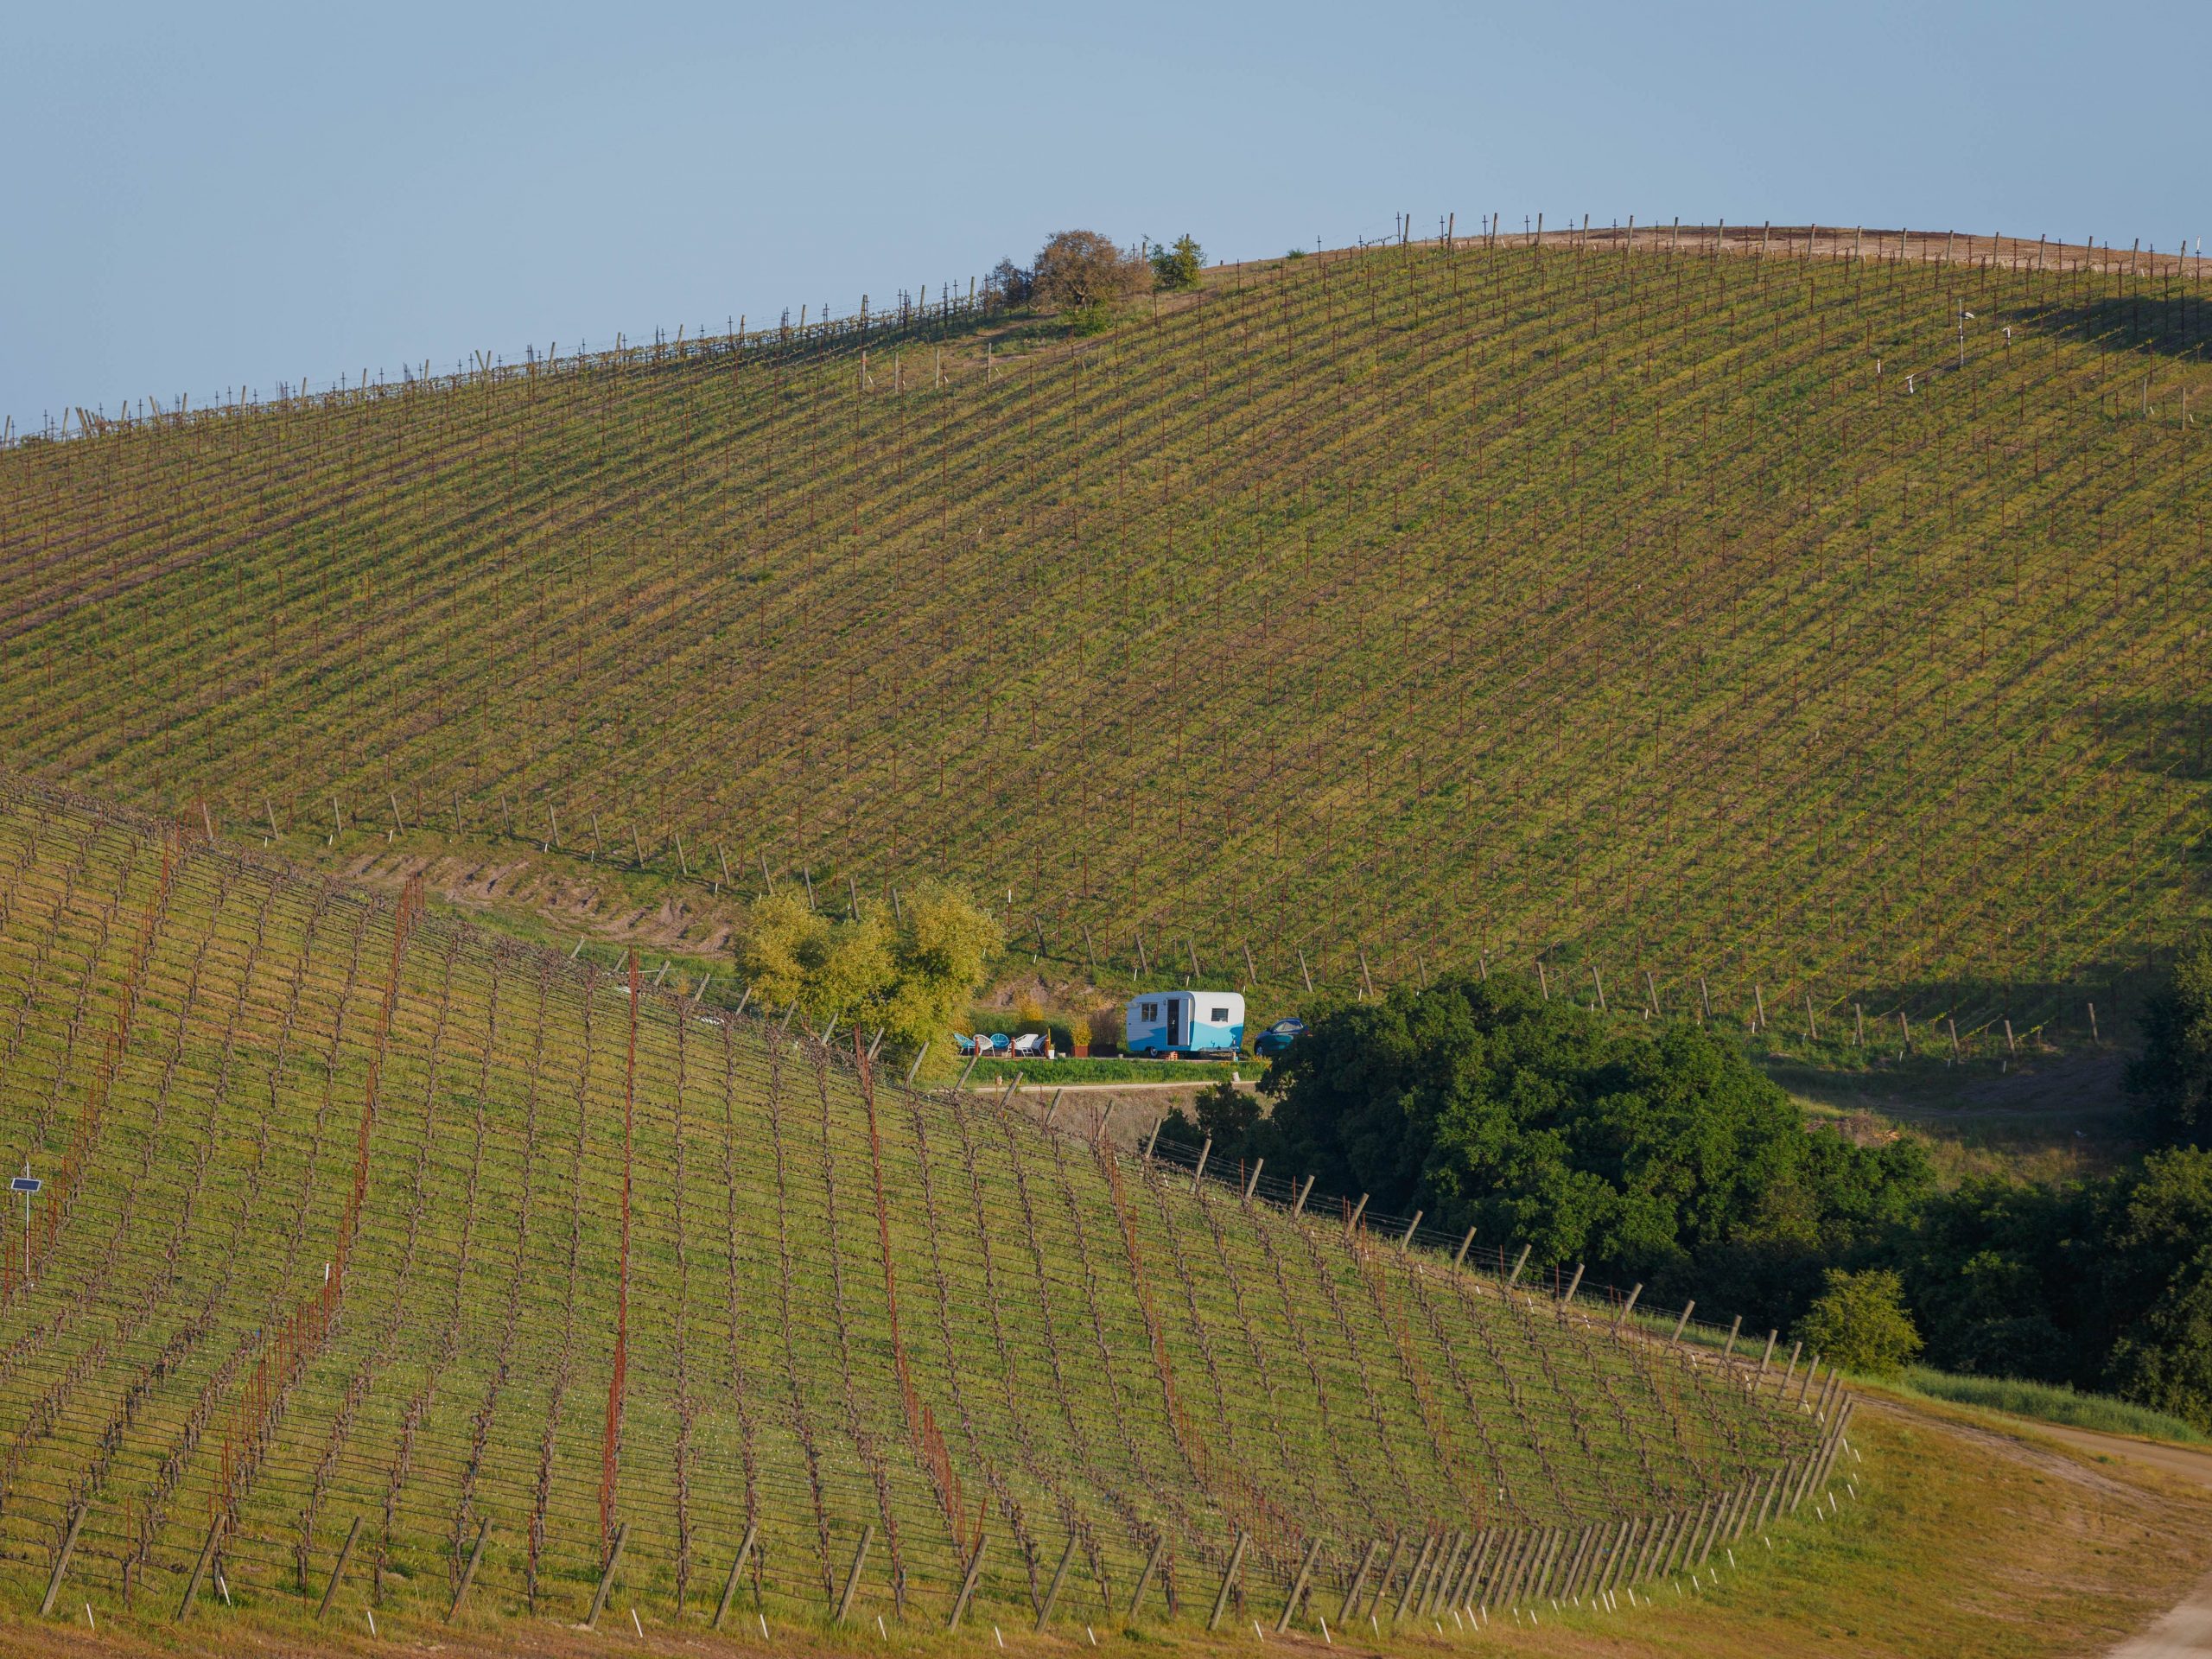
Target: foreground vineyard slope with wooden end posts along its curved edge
{"x": 357, "y": 1220}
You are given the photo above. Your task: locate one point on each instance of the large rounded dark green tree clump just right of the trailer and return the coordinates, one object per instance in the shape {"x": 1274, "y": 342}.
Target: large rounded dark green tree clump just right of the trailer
{"x": 1660, "y": 1156}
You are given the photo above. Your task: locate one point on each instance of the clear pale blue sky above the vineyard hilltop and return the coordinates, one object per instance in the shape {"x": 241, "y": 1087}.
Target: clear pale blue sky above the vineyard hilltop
{"x": 202, "y": 198}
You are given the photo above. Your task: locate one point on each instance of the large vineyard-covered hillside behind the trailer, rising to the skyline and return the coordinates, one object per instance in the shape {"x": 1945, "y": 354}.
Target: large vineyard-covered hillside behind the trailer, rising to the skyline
{"x": 1808, "y": 614}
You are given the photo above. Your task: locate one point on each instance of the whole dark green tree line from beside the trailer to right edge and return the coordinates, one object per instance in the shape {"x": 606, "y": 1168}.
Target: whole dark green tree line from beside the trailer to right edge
{"x": 1665, "y": 1156}
